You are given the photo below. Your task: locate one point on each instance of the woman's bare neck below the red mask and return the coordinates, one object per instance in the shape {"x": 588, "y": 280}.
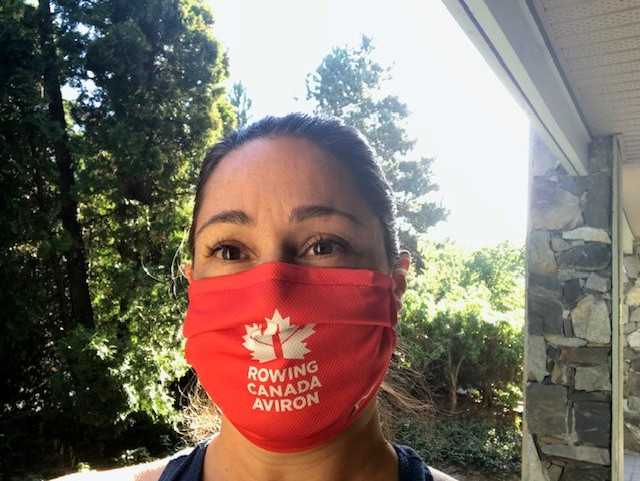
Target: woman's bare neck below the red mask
{"x": 360, "y": 452}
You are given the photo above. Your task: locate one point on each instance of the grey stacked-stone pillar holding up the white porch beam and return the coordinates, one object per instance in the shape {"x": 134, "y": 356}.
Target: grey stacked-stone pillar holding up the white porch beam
{"x": 568, "y": 359}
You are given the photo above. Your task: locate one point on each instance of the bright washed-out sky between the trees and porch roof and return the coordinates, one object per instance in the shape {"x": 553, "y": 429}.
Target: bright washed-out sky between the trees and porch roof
{"x": 461, "y": 114}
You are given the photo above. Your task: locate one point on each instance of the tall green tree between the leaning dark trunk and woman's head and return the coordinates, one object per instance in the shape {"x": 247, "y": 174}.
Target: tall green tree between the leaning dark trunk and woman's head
{"x": 153, "y": 105}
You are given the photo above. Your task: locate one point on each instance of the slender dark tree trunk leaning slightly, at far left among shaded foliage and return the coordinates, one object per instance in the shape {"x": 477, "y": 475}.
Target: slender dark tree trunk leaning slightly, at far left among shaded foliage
{"x": 75, "y": 260}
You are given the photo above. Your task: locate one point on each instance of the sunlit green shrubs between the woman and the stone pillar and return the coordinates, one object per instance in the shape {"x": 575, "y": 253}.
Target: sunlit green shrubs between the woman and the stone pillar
{"x": 454, "y": 327}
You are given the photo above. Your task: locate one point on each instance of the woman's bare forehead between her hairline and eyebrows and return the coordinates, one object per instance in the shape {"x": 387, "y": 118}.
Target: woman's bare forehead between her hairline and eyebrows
{"x": 284, "y": 171}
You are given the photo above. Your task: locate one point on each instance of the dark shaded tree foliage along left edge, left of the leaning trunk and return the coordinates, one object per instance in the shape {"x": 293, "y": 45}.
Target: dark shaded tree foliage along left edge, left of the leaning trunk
{"x": 33, "y": 280}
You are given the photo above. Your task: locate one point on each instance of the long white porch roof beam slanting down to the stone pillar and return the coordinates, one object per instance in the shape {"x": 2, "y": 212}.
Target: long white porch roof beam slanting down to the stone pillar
{"x": 506, "y": 34}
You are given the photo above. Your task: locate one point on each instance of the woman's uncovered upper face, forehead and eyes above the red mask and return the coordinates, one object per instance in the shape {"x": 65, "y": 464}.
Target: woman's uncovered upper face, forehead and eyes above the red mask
{"x": 286, "y": 200}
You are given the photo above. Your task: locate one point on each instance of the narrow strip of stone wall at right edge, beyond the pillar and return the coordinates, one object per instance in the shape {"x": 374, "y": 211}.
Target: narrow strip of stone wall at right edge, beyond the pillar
{"x": 631, "y": 330}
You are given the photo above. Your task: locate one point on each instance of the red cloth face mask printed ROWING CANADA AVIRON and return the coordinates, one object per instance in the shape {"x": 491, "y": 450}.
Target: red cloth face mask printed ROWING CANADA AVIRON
{"x": 291, "y": 354}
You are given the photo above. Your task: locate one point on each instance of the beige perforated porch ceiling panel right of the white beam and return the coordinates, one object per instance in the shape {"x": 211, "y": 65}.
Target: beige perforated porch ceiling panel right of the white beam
{"x": 597, "y": 45}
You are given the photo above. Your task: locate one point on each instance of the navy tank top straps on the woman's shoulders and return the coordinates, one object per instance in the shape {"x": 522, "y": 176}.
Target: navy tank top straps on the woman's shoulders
{"x": 188, "y": 466}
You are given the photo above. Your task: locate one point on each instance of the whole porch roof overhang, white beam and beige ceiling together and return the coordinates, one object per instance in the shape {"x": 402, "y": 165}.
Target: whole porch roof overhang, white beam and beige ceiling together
{"x": 574, "y": 67}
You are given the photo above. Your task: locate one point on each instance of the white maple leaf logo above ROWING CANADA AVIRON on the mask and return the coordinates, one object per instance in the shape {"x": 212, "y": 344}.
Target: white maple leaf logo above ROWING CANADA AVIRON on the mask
{"x": 279, "y": 339}
